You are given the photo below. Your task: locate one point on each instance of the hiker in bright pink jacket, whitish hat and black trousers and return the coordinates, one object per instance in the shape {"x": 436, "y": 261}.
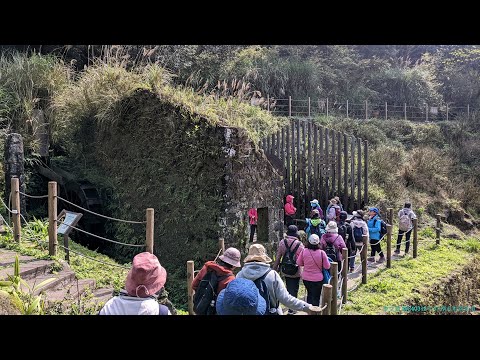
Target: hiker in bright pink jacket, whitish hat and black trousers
{"x": 314, "y": 261}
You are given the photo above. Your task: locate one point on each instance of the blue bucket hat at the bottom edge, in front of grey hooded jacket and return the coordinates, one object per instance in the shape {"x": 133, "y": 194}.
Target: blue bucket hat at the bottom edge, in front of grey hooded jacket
{"x": 240, "y": 297}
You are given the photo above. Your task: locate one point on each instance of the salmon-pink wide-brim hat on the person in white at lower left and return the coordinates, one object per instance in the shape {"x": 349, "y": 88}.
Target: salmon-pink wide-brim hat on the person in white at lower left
{"x": 146, "y": 277}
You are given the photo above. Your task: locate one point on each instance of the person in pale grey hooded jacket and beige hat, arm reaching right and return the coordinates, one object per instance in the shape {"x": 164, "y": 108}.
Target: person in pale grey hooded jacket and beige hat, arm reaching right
{"x": 256, "y": 268}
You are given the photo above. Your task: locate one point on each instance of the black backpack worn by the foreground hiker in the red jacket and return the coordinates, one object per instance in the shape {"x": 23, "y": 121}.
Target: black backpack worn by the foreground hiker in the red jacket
{"x": 206, "y": 294}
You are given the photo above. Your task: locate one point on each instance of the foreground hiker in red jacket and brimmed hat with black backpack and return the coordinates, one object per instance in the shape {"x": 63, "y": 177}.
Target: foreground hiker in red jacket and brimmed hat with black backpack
{"x": 213, "y": 278}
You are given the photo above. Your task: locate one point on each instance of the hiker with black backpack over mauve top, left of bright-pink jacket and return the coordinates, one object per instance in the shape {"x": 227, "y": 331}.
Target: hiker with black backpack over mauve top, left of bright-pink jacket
{"x": 287, "y": 254}
